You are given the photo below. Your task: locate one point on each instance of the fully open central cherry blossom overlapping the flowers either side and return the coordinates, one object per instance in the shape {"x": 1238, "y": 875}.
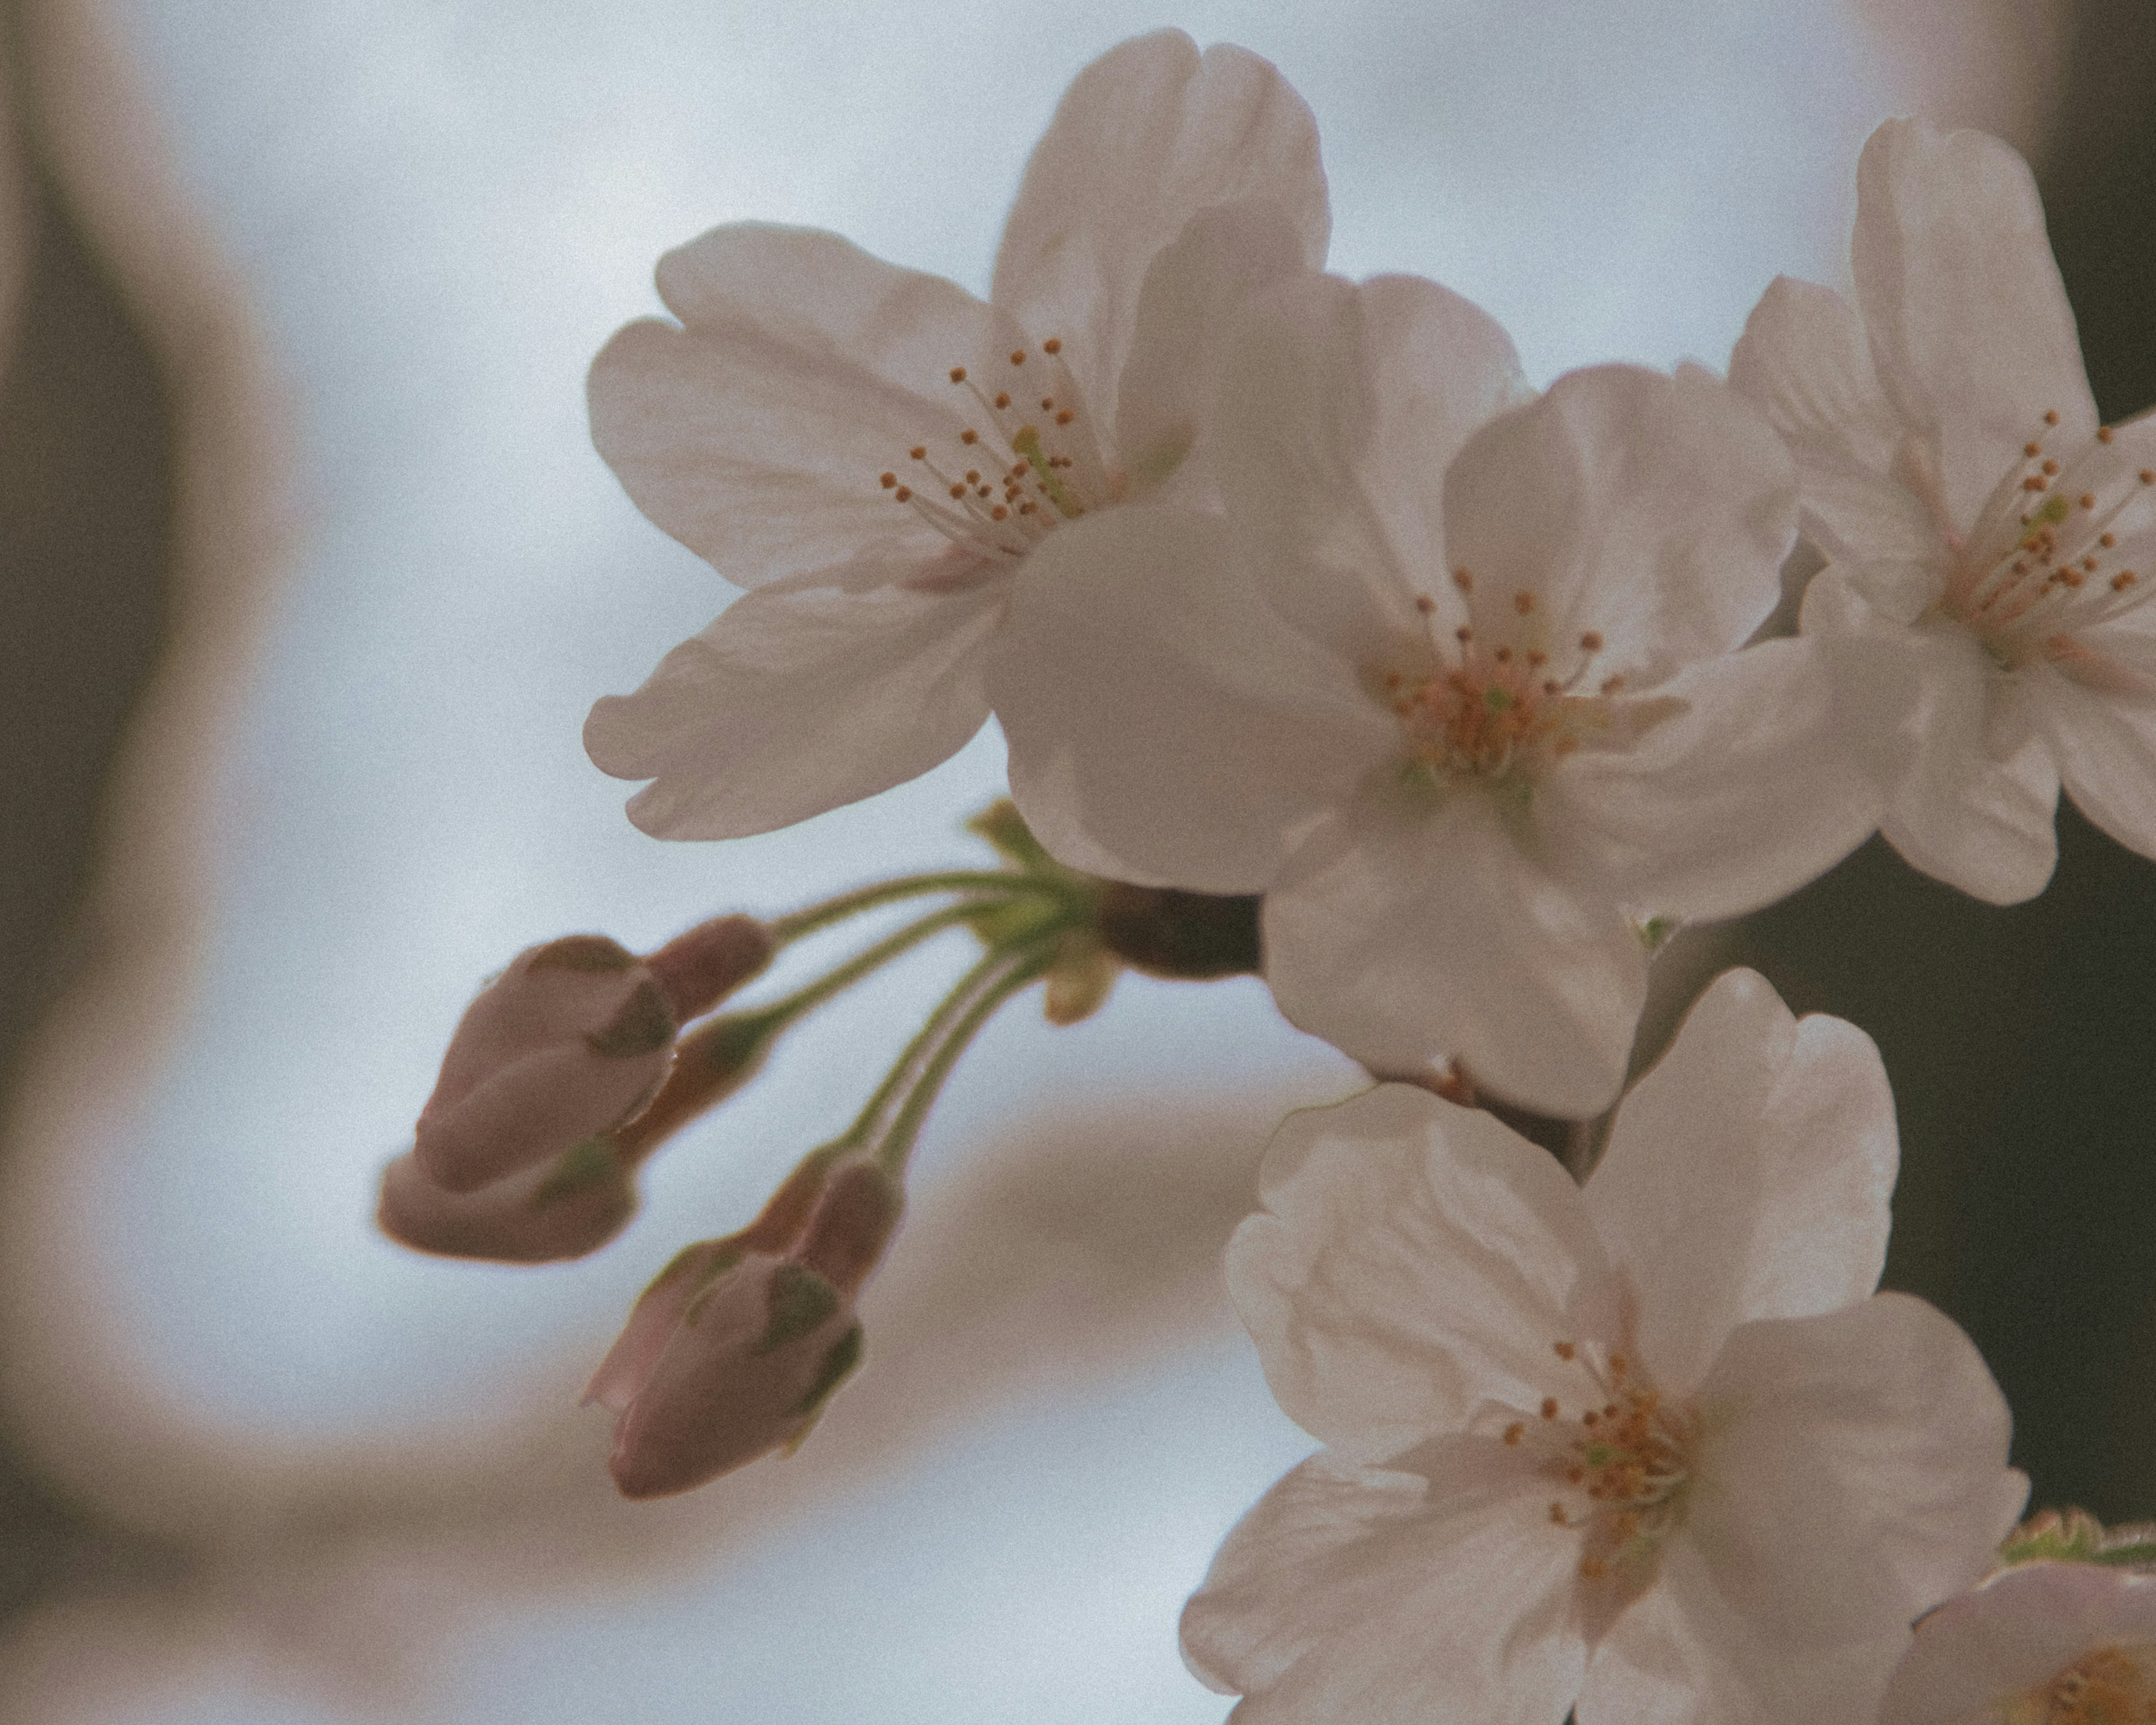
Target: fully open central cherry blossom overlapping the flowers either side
{"x": 1450, "y": 680}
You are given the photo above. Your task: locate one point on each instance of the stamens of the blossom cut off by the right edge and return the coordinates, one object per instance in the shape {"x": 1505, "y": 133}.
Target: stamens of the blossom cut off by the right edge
{"x": 2041, "y": 557}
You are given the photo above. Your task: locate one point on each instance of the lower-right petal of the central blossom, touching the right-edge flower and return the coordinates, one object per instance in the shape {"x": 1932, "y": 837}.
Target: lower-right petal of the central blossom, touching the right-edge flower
{"x": 1730, "y": 803}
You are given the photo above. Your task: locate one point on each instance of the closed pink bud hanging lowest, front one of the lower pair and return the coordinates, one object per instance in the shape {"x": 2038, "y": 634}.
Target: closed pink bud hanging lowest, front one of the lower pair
{"x": 721, "y": 1366}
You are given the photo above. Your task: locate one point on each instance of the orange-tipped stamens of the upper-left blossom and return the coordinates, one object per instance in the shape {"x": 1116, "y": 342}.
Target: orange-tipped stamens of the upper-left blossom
{"x": 1042, "y": 465}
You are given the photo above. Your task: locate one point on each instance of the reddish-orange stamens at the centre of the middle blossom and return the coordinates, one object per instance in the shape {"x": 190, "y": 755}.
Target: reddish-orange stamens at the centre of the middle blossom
{"x": 1499, "y": 710}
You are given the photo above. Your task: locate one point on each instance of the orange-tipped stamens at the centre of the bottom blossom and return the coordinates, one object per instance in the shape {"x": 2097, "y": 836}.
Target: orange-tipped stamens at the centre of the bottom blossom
{"x": 1622, "y": 1459}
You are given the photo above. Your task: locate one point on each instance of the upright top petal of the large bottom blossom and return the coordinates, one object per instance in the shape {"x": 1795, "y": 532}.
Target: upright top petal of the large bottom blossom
{"x": 1747, "y": 1176}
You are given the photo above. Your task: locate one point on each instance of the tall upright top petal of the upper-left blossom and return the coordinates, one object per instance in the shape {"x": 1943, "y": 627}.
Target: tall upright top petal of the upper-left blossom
{"x": 1148, "y": 137}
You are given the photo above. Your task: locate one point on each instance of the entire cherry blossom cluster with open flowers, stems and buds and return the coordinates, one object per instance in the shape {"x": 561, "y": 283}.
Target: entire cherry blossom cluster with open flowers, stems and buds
{"x": 1331, "y": 650}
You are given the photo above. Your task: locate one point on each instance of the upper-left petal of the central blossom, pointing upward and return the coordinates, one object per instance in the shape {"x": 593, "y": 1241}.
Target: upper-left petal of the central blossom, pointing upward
{"x": 1340, "y": 413}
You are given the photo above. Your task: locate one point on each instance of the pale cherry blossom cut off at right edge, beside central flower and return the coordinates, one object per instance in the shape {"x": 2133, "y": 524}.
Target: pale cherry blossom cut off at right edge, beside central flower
{"x": 1991, "y": 544}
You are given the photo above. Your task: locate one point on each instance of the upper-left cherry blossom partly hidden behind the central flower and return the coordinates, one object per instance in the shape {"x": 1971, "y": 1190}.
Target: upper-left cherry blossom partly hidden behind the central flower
{"x": 879, "y": 452}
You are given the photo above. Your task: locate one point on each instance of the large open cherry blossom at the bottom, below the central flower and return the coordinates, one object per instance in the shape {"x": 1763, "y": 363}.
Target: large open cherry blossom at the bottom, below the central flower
{"x": 1648, "y": 1448}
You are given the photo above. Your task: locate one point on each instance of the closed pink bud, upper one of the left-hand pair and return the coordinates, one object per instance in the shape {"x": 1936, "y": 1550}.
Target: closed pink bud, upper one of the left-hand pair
{"x": 570, "y": 1040}
